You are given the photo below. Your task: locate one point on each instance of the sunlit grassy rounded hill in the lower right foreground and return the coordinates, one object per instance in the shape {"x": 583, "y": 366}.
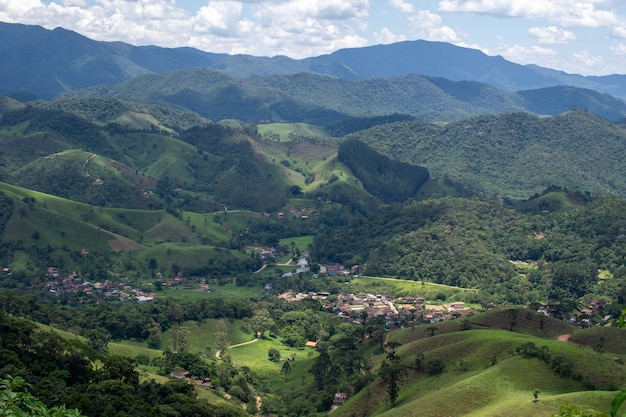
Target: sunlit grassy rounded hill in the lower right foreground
{"x": 485, "y": 376}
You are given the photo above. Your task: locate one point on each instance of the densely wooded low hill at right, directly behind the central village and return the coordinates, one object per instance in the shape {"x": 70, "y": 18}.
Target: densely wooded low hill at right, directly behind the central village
{"x": 472, "y": 243}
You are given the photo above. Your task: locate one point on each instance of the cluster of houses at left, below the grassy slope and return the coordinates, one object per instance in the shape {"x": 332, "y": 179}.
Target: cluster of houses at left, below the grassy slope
{"x": 58, "y": 283}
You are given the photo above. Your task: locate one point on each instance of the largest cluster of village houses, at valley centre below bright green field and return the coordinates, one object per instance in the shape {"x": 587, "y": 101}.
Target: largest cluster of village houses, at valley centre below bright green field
{"x": 357, "y": 308}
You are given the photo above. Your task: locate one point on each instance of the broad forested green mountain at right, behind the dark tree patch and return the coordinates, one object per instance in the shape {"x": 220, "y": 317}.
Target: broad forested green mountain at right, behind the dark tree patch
{"x": 512, "y": 155}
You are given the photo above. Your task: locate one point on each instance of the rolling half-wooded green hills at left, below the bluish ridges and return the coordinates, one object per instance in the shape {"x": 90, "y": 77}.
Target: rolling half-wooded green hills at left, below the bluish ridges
{"x": 97, "y": 160}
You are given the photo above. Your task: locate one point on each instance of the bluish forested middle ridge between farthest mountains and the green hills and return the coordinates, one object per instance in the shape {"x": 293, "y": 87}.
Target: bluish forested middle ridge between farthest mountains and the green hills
{"x": 324, "y": 100}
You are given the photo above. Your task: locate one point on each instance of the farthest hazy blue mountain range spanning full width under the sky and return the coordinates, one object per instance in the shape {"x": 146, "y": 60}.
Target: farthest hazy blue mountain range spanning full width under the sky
{"x": 45, "y": 63}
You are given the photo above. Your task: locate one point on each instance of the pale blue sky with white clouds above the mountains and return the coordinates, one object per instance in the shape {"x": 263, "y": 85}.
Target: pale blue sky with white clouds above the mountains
{"x": 581, "y": 37}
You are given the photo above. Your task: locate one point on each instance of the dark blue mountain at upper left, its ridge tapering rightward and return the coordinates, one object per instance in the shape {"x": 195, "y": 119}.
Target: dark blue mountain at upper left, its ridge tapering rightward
{"x": 66, "y": 61}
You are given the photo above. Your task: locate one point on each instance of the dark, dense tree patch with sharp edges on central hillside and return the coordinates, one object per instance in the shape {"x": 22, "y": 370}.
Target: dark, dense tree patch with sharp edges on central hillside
{"x": 390, "y": 180}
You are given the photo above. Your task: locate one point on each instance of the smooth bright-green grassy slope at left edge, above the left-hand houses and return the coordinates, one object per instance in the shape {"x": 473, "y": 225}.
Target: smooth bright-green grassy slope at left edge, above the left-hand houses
{"x": 51, "y": 231}
